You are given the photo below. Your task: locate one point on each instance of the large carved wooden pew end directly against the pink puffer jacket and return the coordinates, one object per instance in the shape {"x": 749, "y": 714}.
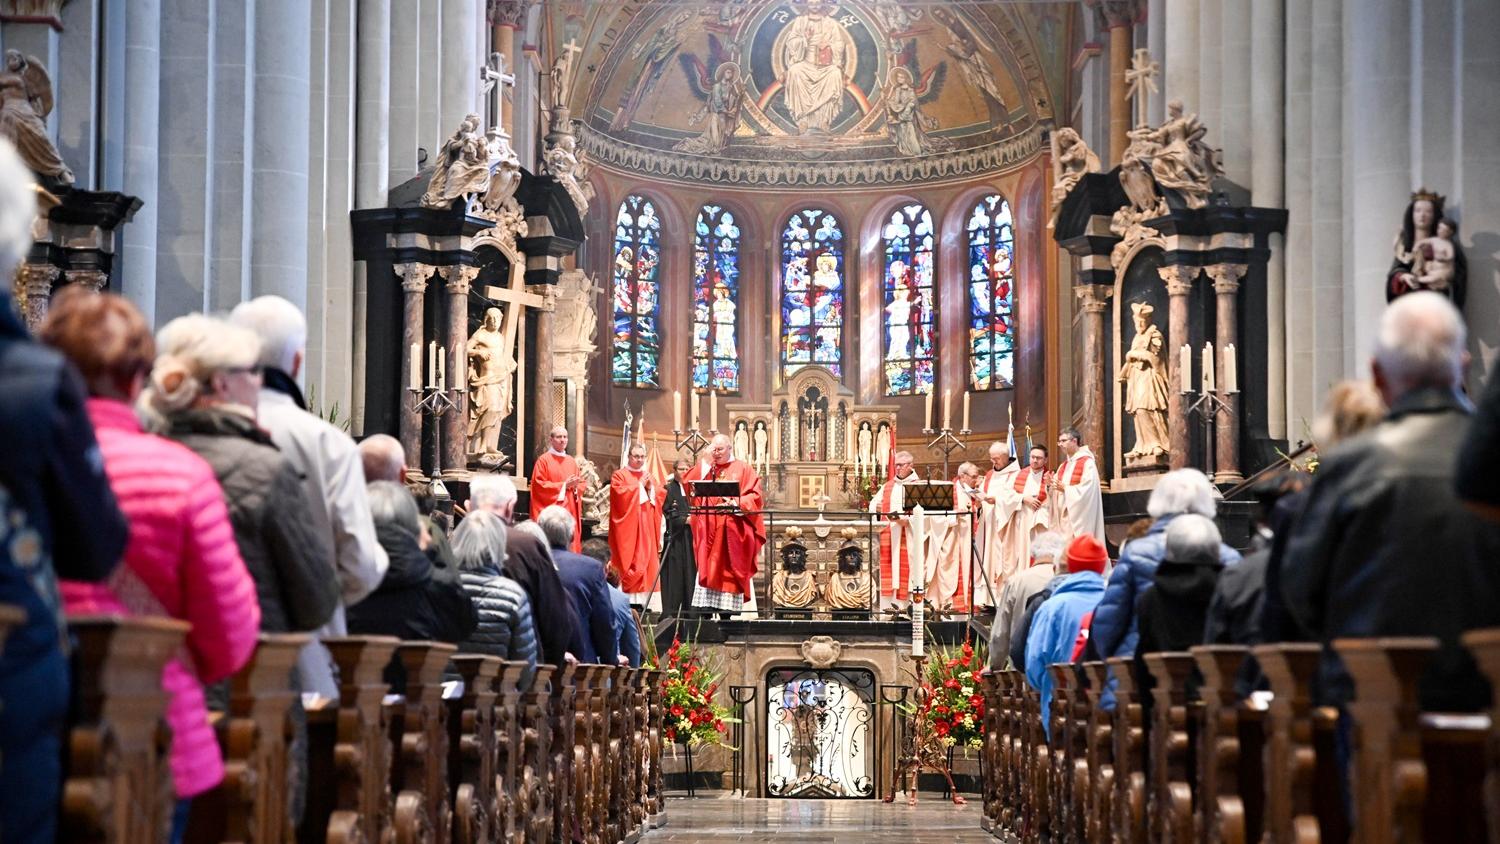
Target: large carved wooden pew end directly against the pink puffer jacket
{"x": 118, "y": 783}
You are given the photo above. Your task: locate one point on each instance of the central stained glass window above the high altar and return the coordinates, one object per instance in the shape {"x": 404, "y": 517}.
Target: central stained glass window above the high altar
{"x": 812, "y": 292}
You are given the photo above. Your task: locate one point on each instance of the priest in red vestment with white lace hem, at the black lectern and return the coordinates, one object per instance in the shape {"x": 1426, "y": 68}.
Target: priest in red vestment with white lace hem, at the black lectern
{"x": 728, "y": 543}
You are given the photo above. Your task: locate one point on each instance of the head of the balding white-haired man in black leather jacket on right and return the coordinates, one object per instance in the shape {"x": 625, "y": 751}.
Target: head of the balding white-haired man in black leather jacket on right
{"x": 1421, "y": 343}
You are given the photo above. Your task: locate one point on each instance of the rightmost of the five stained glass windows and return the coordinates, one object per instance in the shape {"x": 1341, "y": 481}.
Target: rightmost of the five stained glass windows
{"x": 992, "y": 295}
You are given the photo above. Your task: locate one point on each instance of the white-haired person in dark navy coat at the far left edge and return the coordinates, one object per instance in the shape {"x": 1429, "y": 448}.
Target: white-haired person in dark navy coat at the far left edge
{"x": 58, "y": 519}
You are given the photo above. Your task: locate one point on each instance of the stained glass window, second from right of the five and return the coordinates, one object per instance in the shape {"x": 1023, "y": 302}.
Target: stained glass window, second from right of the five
{"x": 910, "y": 331}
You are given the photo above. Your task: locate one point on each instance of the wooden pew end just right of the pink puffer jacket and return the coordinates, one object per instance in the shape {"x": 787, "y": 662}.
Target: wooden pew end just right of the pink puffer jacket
{"x": 254, "y": 803}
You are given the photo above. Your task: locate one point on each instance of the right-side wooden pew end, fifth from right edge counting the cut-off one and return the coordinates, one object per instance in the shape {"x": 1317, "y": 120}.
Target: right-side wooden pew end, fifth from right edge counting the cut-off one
{"x": 1169, "y": 804}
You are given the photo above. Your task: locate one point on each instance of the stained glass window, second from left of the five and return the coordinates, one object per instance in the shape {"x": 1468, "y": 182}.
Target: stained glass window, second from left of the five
{"x": 716, "y": 299}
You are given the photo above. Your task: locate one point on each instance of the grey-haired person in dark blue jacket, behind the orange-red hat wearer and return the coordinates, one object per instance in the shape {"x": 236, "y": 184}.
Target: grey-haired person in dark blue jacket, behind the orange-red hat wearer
{"x": 1117, "y": 629}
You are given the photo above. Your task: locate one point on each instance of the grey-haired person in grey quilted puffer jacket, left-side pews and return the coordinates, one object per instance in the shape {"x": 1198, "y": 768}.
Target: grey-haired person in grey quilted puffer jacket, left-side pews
{"x": 506, "y": 627}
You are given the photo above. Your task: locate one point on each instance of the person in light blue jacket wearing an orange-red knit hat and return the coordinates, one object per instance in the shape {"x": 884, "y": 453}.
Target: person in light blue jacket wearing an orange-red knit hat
{"x": 1055, "y": 627}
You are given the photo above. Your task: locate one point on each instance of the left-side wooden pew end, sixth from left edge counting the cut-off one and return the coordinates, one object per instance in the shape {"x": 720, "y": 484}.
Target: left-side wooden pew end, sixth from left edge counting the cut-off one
{"x": 473, "y": 738}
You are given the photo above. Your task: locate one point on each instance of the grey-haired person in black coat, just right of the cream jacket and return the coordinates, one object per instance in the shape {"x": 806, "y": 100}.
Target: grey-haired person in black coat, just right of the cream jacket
{"x": 418, "y": 600}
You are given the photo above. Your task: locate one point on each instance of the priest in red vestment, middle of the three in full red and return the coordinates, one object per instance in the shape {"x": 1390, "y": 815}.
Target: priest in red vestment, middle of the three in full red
{"x": 635, "y": 527}
